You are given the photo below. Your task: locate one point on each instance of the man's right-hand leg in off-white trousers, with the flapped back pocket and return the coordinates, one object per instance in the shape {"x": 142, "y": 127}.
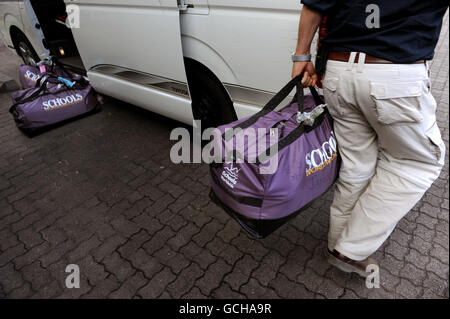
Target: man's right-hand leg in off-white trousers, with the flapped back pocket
{"x": 411, "y": 157}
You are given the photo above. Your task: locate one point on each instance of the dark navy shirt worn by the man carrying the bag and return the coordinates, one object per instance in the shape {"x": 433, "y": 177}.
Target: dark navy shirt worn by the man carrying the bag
{"x": 409, "y": 29}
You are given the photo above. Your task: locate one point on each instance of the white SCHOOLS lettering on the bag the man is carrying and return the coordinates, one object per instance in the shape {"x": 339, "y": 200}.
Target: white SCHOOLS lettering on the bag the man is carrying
{"x": 320, "y": 158}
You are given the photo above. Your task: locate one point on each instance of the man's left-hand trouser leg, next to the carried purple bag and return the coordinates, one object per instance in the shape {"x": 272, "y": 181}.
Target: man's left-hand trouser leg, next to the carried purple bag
{"x": 358, "y": 147}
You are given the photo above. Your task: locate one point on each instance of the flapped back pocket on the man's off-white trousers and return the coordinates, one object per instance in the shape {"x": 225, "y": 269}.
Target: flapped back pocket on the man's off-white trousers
{"x": 397, "y": 102}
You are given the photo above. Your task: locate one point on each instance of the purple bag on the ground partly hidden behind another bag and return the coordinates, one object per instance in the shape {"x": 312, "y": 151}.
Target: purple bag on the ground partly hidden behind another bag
{"x": 29, "y": 75}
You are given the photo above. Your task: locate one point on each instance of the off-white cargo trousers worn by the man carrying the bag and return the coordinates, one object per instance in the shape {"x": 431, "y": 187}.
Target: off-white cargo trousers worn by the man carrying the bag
{"x": 391, "y": 148}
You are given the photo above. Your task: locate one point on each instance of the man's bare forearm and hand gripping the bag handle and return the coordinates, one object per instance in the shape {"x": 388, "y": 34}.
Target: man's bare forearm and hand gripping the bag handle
{"x": 309, "y": 23}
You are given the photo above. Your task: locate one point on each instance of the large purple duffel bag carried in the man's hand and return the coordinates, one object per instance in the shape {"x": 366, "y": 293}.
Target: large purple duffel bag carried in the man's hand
{"x": 297, "y": 163}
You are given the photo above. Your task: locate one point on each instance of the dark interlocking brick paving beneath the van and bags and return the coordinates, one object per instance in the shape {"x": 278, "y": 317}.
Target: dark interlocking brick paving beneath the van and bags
{"x": 102, "y": 193}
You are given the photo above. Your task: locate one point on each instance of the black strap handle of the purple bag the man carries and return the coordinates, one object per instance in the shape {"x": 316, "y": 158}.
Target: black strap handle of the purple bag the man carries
{"x": 275, "y": 102}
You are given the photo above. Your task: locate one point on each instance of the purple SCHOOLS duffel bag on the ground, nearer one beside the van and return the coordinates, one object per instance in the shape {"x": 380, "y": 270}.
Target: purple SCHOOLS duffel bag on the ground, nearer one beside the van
{"x": 52, "y": 102}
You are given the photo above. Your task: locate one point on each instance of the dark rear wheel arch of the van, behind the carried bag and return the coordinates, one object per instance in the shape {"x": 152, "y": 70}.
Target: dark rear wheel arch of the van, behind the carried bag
{"x": 211, "y": 102}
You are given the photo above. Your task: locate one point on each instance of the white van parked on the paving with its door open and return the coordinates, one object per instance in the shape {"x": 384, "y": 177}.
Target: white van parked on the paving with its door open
{"x": 213, "y": 60}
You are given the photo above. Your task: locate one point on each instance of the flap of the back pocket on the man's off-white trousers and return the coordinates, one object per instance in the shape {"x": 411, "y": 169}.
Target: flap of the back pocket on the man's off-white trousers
{"x": 392, "y": 90}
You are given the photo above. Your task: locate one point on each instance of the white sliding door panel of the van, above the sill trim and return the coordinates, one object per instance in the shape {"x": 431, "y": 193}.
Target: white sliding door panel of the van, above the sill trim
{"x": 142, "y": 35}
